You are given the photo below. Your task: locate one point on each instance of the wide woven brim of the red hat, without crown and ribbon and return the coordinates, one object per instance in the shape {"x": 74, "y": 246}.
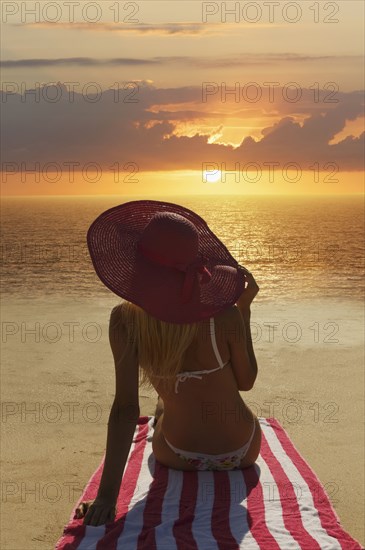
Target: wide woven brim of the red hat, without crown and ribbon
{"x": 112, "y": 242}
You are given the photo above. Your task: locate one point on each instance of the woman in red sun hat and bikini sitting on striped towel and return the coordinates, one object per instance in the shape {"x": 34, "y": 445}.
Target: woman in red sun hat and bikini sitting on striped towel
{"x": 185, "y": 322}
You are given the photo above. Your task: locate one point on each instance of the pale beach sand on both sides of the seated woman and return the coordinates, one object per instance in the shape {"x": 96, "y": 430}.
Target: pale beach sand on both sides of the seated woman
{"x": 57, "y": 387}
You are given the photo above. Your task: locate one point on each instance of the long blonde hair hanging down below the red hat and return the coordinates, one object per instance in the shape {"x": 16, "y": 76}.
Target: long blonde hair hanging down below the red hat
{"x": 161, "y": 346}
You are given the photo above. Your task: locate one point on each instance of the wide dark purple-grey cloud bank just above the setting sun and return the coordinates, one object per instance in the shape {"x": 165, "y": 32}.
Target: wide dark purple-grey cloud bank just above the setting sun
{"x": 106, "y": 131}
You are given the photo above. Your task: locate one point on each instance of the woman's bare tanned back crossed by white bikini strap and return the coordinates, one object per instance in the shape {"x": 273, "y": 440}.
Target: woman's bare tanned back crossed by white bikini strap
{"x": 207, "y": 413}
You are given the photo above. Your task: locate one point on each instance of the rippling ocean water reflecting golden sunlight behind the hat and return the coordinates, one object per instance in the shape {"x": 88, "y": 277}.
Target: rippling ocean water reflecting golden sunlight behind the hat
{"x": 297, "y": 247}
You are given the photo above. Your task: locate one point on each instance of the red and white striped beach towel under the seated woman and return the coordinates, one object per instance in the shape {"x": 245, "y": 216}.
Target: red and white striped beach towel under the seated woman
{"x": 279, "y": 503}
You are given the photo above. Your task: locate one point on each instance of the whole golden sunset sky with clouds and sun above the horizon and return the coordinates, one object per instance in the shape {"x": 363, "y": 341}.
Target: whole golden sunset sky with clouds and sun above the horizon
{"x": 161, "y": 97}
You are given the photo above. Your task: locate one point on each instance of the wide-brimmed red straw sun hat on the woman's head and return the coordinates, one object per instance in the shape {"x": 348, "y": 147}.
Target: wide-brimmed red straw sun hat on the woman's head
{"x": 164, "y": 258}
